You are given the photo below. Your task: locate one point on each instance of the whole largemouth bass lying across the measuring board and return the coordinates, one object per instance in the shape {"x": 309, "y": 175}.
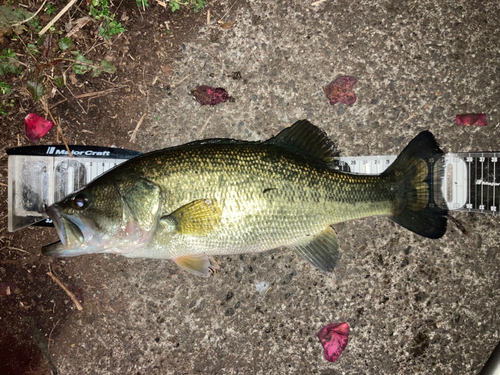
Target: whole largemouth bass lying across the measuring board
{"x": 221, "y": 196}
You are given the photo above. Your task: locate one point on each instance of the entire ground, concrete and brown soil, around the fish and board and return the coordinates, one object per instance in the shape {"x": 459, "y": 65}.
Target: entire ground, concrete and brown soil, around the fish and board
{"x": 413, "y": 303}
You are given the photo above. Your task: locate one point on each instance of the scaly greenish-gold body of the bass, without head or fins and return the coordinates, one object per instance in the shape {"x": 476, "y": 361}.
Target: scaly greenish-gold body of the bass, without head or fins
{"x": 307, "y": 195}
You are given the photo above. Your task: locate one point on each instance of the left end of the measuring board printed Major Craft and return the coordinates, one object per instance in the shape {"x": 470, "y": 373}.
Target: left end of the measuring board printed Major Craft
{"x": 42, "y": 175}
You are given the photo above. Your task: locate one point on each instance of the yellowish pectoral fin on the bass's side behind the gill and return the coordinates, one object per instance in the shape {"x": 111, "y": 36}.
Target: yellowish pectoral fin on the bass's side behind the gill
{"x": 196, "y": 218}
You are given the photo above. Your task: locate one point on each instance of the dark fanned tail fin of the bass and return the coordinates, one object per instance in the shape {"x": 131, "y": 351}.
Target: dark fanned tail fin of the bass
{"x": 414, "y": 174}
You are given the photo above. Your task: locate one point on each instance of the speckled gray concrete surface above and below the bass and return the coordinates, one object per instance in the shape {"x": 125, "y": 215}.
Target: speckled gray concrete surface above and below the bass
{"x": 416, "y": 306}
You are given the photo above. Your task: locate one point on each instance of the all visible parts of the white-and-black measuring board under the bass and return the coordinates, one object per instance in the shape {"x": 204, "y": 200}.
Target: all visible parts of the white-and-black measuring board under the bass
{"x": 42, "y": 175}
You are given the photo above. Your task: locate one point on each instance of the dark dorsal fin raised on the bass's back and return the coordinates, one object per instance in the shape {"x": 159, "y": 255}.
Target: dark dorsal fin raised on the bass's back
{"x": 305, "y": 138}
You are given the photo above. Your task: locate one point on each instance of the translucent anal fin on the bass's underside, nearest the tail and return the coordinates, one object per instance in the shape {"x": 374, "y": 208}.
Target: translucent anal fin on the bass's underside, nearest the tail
{"x": 321, "y": 250}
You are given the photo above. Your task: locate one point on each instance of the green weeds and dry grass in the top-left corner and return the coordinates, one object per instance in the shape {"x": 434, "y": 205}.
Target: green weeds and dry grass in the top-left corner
{"x": 46, "y": 58}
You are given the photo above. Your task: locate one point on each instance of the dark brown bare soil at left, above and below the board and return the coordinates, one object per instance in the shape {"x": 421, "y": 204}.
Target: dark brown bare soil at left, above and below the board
{"x": 33, "y": 307}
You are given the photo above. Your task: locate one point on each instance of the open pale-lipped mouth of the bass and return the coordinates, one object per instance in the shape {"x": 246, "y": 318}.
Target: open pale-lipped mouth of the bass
{"x": 73, "y": 233}
